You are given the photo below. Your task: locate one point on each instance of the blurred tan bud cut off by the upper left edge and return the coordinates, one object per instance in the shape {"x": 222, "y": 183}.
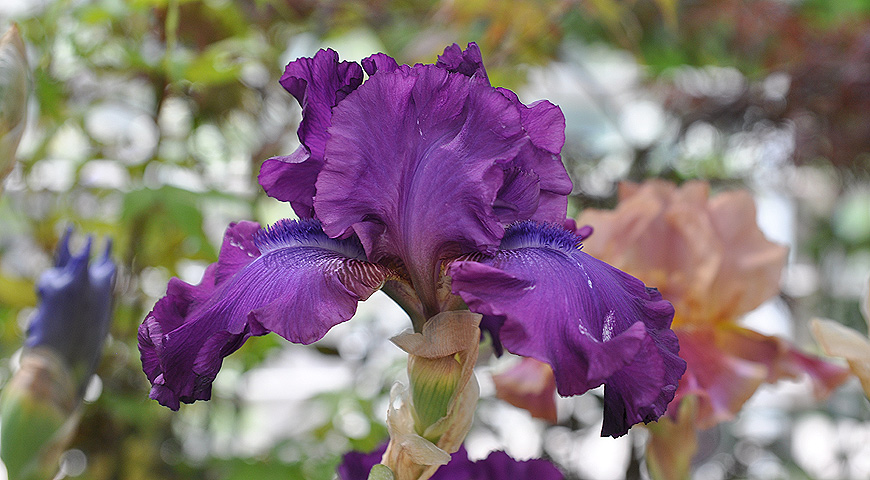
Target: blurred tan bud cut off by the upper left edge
{"x": 14, "y": 87}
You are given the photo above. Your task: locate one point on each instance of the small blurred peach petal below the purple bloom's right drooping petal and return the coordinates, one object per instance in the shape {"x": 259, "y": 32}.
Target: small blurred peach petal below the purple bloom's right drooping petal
{"x": 529, "y": 385}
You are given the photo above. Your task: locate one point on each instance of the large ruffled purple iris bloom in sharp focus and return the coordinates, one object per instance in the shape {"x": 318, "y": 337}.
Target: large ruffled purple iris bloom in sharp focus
{"x": 427, "y": 182}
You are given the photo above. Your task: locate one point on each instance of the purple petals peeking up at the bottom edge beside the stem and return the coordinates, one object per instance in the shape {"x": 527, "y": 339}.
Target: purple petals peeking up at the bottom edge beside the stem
{"x": 497, "y": 466}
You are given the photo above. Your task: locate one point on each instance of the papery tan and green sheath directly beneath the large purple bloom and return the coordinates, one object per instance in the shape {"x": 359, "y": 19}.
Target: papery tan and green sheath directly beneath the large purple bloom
{"x": 429, "y": 421}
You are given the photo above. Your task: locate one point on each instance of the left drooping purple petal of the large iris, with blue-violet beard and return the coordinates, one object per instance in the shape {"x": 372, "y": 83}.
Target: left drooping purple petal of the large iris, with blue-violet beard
{"x": 290, "y": 279}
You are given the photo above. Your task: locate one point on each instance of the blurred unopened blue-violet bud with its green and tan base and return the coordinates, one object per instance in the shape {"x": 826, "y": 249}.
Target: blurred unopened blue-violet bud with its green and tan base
{"x": 39, "y": 406}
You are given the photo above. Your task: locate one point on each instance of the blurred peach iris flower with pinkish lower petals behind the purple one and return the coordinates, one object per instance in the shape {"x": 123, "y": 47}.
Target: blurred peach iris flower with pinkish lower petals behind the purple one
{"x": 707, "y": 256}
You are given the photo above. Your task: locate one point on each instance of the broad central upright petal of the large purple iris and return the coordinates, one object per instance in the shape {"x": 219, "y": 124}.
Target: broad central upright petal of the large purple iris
{"x": 415, "y": 163}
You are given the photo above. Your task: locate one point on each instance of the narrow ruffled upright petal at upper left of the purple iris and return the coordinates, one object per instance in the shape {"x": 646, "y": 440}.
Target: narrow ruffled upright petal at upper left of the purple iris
{"x": 319, "y": 83}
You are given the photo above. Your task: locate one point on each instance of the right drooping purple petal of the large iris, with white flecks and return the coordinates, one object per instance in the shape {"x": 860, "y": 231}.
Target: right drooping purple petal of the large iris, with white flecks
{"x": 591, "y": 322}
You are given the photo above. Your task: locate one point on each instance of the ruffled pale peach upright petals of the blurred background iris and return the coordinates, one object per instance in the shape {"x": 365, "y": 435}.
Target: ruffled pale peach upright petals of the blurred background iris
{"x": 706, "y": 255}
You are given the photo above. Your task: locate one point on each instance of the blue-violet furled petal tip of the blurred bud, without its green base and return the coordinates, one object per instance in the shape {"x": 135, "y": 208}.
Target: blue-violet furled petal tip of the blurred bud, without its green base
{"x": 75, "y": 309}
